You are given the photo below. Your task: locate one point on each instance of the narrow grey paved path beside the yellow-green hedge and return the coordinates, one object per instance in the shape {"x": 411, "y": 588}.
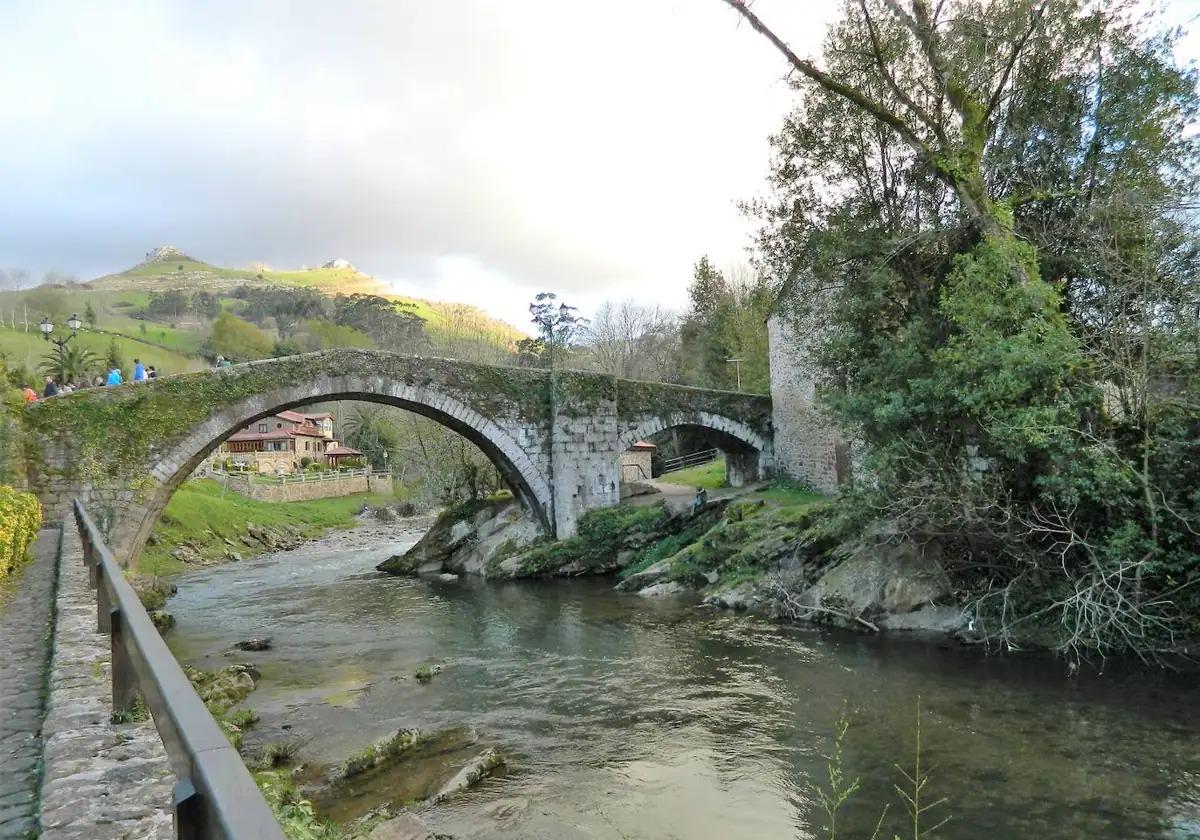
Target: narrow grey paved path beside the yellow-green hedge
{"x": 25, "y": 659}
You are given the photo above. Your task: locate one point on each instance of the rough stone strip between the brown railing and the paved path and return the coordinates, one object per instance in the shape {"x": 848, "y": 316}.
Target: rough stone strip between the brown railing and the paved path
{"x": 100, "y": 782}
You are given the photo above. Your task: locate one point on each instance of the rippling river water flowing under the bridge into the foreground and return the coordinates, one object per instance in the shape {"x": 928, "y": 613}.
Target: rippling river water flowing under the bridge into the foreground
{"x": 623, "y": 717}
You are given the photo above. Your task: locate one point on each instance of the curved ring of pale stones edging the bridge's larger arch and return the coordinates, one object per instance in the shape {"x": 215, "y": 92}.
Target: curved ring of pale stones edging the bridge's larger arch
{"x": 172, "y": 469}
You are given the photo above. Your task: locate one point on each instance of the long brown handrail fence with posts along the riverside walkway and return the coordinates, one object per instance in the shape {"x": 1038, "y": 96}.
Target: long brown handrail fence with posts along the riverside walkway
{"x": 215, "y": 797}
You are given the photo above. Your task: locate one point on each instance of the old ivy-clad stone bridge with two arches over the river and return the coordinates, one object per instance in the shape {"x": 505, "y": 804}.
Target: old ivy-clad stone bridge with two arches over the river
{"x": 556, "y": 439}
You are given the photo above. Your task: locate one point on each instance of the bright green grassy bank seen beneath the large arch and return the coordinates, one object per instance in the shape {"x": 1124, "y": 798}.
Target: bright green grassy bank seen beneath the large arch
{"x": 203, "y": 515}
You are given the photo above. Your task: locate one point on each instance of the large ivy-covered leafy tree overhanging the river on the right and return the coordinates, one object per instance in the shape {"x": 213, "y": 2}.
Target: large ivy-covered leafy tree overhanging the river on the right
{"x": 995, "y": 285}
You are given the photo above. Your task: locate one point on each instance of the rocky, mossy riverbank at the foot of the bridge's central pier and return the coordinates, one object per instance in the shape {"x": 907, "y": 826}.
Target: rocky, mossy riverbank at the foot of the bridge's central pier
{"x": 770, "y": 550}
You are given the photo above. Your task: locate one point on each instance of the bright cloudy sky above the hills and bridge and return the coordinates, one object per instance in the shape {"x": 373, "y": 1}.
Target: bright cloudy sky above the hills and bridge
{"x": 473, "y": 151}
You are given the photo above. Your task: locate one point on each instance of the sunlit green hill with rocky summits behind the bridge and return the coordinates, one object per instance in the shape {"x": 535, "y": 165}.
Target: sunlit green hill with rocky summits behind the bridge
{"x": 122, "y": 304}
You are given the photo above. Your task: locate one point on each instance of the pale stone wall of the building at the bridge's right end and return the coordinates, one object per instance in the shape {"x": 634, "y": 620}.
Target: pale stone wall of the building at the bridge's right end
{"x": 806, "y": 443}
